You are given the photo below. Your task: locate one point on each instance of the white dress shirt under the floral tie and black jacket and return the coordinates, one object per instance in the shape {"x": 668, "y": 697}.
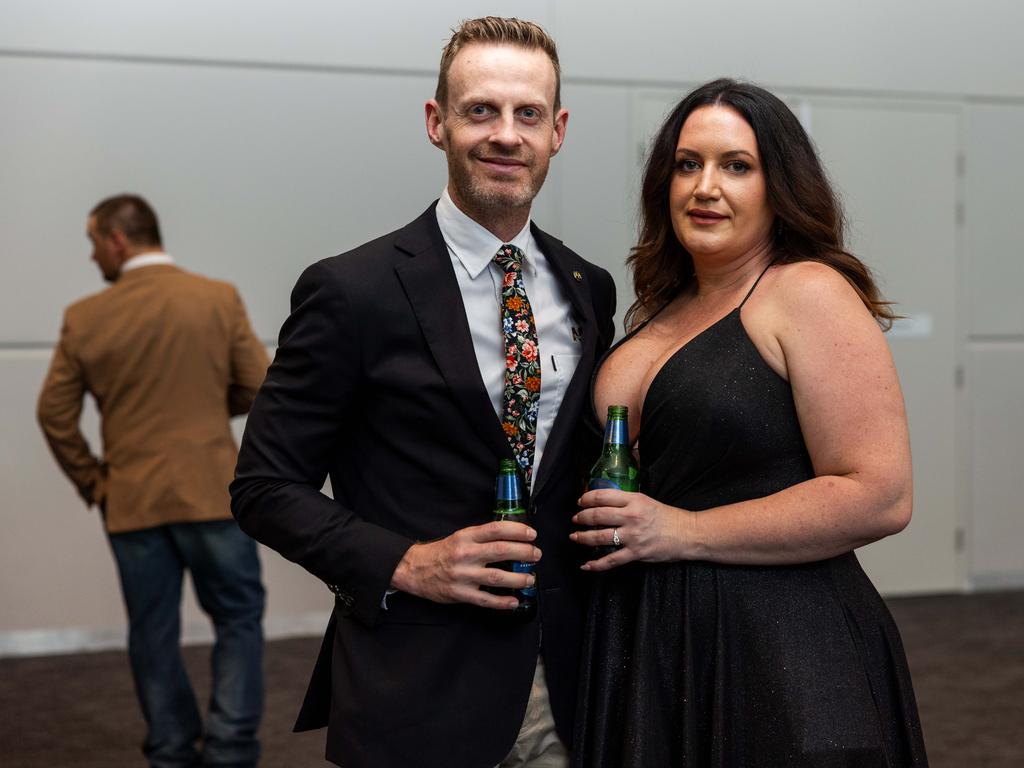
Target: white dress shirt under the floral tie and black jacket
{"x": 473, "y": 249}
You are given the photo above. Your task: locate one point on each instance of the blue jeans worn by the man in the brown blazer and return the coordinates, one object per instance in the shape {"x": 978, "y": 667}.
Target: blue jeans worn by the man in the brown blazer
{"x": 226, "y": 574}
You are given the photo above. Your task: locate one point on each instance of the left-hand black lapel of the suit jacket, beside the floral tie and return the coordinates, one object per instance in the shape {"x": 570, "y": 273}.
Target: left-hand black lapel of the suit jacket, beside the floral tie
{"x": 430, "y": 282}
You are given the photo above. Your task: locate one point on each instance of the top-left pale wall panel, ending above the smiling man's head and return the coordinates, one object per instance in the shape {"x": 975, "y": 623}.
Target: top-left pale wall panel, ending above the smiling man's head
{"x": 395, "y": 34}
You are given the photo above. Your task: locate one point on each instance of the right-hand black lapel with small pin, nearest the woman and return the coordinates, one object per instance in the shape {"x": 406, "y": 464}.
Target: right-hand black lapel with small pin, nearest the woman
{"x": 572, "y": 278}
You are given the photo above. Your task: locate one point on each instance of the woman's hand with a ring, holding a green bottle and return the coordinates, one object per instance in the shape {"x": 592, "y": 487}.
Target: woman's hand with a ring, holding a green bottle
{"x": 648, "y": 530}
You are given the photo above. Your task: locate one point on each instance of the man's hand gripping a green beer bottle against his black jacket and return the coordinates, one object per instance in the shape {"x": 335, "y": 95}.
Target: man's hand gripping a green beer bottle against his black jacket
{"x": 453, "y": 570}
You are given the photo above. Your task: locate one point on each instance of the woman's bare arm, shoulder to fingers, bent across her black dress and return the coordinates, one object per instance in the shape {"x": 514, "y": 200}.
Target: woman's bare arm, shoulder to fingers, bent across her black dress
{"x": 815, "y": 330}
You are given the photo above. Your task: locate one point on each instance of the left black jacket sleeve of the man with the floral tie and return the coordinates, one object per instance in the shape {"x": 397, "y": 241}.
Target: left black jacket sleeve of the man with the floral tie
{"x": 290, "y": 438}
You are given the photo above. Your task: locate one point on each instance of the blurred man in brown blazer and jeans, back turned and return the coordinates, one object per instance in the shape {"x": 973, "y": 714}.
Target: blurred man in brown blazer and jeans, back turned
{"x": 169, "y": 358}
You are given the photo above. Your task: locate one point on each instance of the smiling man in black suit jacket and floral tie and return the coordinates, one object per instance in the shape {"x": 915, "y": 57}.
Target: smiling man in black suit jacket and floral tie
{"x": 408, "y": 369}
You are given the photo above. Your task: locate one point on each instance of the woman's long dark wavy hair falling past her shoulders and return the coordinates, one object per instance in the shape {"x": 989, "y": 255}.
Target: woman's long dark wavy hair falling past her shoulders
{"x": 808, "y": 219}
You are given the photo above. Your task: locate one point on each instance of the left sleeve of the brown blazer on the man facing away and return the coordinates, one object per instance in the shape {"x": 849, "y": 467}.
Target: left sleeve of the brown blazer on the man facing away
{"x": 59, "y": 411}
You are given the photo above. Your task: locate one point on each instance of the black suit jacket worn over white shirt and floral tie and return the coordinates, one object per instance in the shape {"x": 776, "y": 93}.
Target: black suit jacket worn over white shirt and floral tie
{"x": 376, "y": 385}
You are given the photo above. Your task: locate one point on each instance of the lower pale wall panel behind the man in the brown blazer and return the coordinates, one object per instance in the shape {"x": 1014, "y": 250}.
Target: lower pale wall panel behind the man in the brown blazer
{"x": 57, "y": 571}
